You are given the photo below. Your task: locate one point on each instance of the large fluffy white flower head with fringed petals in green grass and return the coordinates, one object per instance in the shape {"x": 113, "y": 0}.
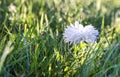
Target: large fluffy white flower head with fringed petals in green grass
{"x": 76, "y": 33}
